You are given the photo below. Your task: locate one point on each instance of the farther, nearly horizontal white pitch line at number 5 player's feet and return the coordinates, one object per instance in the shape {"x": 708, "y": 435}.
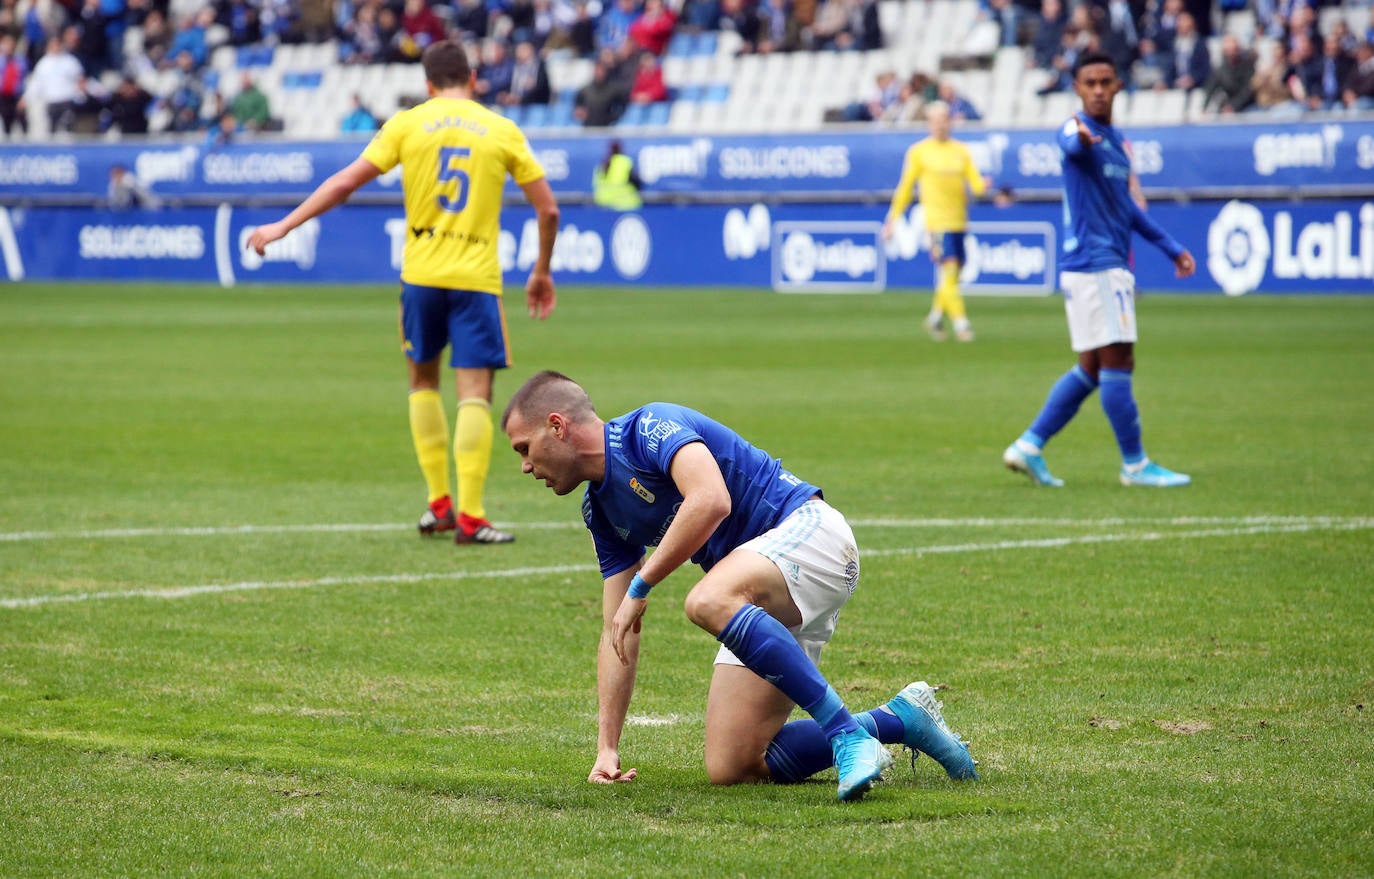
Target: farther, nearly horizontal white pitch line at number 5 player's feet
{"x": 232, "y": 531}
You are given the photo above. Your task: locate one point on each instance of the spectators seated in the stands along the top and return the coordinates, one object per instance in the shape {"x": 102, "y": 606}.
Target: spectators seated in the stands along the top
{"x": 83, "y": 61}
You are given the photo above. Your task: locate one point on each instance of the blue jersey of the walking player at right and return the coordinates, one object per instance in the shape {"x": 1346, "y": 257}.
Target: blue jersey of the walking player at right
{"x": 1099, "y": 209}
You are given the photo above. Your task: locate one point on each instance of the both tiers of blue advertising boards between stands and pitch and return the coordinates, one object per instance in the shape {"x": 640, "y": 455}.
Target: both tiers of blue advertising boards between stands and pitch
{"x": 793, "y": 214}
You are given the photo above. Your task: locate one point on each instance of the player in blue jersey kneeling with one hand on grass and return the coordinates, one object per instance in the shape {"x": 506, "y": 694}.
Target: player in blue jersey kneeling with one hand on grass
{"x": 780, "y": 564}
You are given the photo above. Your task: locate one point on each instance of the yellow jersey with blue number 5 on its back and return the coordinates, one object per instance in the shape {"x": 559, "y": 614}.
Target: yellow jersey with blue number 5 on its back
{"x": 454, "y": 157}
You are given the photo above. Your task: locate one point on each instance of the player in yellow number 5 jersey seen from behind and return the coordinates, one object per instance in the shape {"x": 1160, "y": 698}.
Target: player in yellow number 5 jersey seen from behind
{"x": 454, "y": 156}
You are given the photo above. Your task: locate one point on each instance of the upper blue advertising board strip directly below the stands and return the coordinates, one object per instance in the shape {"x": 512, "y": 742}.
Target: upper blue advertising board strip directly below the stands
{"x": 1321, "y": 159}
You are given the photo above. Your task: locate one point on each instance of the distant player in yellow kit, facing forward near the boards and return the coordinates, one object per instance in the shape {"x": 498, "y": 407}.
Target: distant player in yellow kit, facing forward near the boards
{"x": 945, "y": 171}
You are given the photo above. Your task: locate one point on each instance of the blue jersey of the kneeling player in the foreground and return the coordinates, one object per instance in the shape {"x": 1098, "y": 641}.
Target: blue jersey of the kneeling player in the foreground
{"x": 637, "y": 501}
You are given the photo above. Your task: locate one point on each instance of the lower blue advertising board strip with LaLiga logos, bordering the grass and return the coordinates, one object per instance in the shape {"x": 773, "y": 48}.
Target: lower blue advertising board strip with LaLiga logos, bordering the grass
{"x": 1324, "y": 247}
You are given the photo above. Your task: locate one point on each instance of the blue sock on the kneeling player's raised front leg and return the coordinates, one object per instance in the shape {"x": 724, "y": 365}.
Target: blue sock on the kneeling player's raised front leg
{"x": 769, "y": 650}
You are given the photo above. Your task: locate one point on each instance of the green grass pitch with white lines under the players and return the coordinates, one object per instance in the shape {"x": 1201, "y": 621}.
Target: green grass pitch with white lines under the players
{"x": 226, "y": 653}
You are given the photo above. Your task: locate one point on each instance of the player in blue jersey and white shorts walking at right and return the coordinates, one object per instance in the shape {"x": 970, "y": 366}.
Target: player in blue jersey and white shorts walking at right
{"x": 1099, "y": 288}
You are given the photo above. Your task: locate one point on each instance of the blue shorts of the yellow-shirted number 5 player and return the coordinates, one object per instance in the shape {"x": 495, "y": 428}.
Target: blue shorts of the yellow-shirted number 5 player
{"x": 472, "y": 322}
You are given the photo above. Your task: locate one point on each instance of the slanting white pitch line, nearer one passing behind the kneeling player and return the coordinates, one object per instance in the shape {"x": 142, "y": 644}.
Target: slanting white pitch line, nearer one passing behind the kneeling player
{"x": 1284, "y": 527}
